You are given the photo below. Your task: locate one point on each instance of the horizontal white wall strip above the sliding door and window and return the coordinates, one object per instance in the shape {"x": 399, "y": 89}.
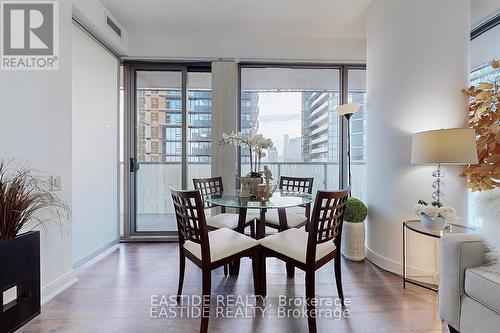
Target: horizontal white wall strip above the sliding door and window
{"x": 246, "y": 47}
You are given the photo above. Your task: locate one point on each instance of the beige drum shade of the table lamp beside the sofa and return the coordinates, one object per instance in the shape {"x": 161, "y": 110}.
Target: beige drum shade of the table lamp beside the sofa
{"x": 446, "y": 146}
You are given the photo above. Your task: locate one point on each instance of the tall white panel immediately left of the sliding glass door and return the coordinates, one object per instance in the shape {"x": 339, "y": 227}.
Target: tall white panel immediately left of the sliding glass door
{"x": 95, "y": 147}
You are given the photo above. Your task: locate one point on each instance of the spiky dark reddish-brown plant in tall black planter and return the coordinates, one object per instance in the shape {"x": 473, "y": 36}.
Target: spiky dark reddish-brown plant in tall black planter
{"x": 25, "y": 204}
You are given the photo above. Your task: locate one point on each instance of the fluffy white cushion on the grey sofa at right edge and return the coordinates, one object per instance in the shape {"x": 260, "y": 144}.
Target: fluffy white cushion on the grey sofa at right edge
{"x": 488, "y": 207}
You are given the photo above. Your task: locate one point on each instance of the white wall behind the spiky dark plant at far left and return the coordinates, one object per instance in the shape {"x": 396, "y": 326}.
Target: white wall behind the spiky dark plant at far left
{"x": 35, "y": 127}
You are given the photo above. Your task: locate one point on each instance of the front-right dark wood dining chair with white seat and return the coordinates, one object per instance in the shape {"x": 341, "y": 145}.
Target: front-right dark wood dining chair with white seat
{"x": 310, "y": 250}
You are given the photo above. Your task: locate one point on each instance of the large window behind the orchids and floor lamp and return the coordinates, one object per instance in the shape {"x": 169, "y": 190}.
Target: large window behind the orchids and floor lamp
{"x": 296, "y": 108}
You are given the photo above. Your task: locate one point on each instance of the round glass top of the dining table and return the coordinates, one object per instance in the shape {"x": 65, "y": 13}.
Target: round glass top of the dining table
{"x": 280, "y": 199}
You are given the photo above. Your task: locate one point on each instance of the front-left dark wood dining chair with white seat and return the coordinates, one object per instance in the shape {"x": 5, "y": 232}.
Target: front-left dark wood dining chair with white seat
{"x": 208, "y": 250}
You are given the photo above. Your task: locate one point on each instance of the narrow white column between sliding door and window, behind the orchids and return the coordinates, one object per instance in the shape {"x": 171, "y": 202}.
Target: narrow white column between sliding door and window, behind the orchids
{"x": 224, "y": 119}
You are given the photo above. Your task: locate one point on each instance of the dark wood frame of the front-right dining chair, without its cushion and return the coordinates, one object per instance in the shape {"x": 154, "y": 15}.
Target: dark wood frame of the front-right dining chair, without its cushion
{"x": 325, "y": 225}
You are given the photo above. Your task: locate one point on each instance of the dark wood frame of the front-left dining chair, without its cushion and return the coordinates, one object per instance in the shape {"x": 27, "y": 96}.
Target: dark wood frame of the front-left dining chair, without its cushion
{"x": 192, "y": 226}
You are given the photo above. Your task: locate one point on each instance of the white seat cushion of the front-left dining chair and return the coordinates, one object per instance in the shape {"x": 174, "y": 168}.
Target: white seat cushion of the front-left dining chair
{"x": 223, "y": 242}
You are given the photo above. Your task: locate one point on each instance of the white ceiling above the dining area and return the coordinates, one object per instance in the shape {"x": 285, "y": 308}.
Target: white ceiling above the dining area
{"x": 306, "y": 18}
